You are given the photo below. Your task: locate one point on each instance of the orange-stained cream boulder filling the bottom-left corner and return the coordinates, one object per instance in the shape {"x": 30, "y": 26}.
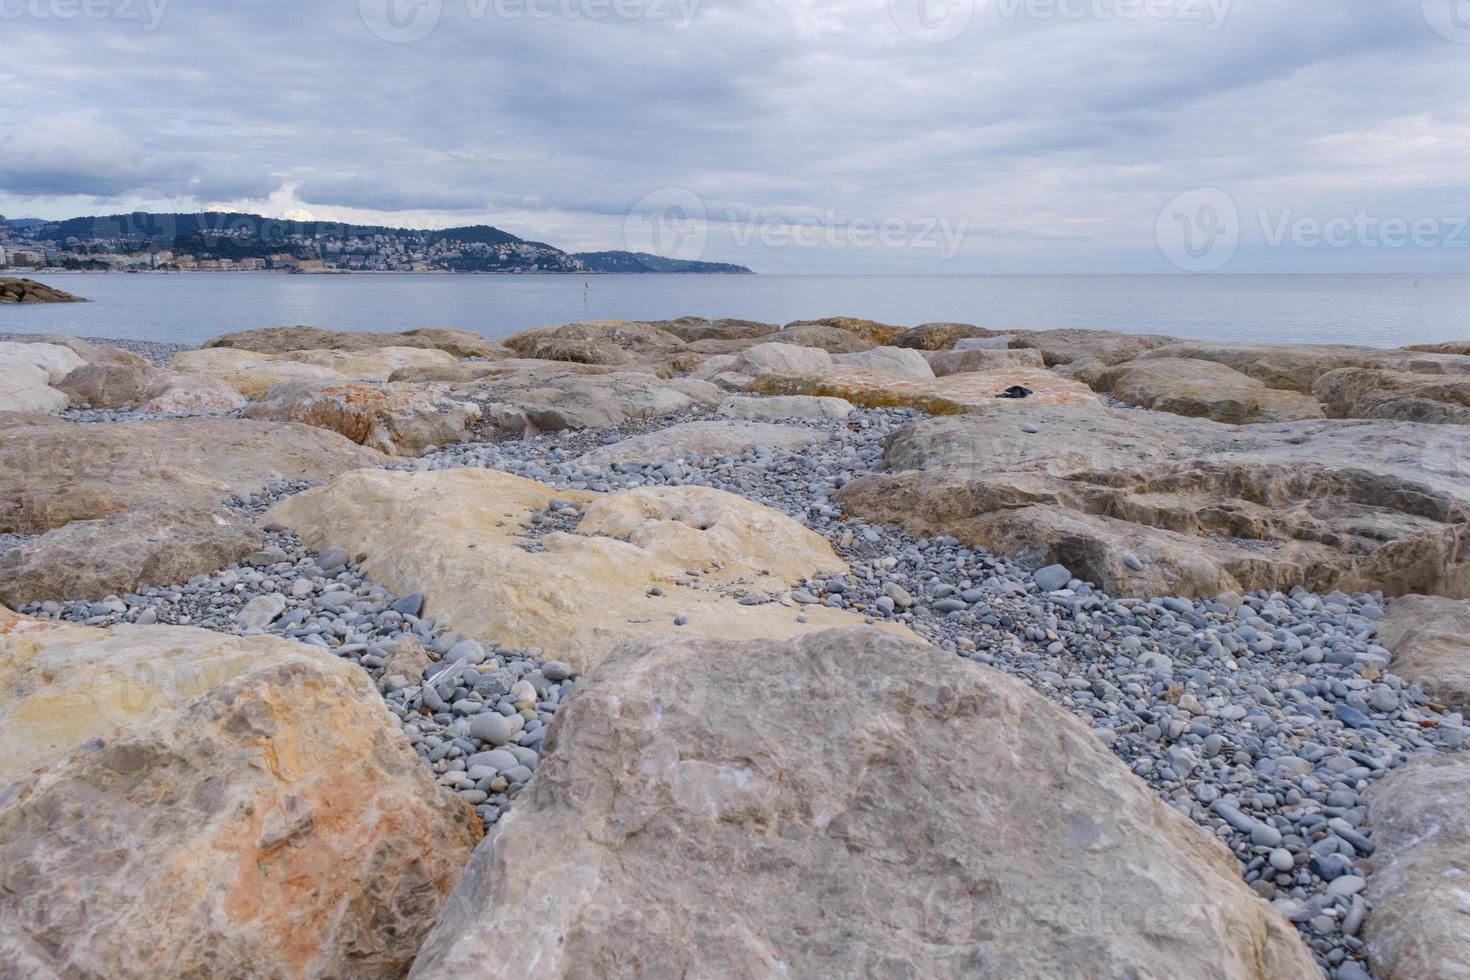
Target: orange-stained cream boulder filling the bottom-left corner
{"x": 177, "y": 803}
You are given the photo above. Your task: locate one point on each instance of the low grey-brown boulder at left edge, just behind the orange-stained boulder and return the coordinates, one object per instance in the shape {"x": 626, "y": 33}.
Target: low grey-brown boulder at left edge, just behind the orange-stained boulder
{"x": 155, "y": 544}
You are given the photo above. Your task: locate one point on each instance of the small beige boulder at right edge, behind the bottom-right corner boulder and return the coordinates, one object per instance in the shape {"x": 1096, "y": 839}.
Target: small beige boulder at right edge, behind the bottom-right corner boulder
{"x": 1430, "y": 637}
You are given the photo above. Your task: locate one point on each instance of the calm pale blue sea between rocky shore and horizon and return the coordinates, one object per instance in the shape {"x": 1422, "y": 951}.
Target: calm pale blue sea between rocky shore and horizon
{"x": 1383, "y": 311}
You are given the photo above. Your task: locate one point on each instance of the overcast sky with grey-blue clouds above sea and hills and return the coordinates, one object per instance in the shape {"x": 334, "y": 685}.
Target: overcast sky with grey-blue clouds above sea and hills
{"x": 795, "y": 136}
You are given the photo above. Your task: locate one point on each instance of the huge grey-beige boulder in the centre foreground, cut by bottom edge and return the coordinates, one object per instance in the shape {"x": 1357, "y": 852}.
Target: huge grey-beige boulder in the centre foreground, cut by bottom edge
{"x": 927, "y": 818}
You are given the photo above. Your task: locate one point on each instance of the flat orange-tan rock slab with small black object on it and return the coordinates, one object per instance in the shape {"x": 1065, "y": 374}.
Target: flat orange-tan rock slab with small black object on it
{"x": 955, "y": 394}
